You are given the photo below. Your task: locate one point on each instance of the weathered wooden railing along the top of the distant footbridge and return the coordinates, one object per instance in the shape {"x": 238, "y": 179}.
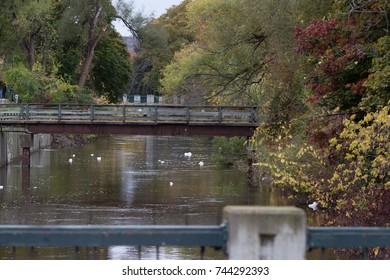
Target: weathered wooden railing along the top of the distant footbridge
{"x": 128, "y": 113}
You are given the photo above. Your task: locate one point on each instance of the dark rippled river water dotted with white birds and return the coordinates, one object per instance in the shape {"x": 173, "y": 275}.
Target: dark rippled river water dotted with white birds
{"x": 129, "y": 185}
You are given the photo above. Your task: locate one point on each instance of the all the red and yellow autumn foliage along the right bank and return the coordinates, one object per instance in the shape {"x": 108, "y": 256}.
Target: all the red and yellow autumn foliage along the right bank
{"x": 341, "y": 158}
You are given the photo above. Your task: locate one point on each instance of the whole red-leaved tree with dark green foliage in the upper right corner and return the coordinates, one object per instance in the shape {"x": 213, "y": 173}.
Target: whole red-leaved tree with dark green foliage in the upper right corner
{"x": 341, "y": 53}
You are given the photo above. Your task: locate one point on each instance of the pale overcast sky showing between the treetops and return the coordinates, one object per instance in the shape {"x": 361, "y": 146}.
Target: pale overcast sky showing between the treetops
{"x": 148, "y": 7}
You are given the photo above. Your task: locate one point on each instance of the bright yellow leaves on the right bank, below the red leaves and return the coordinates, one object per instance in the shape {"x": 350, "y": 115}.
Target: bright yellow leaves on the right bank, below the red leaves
{"x": 363, "y": 149}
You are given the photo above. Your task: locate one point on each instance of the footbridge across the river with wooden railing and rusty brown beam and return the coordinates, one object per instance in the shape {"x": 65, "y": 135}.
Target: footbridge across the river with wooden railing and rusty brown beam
{"x": 139, "y": 119}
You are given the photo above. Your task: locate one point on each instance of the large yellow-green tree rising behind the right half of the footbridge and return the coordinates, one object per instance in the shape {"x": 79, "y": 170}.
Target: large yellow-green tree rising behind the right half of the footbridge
{"x": 228, "y": 62}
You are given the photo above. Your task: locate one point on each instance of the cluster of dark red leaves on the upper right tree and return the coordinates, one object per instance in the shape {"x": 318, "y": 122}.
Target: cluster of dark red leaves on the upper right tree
{"x": 333, "y": 48}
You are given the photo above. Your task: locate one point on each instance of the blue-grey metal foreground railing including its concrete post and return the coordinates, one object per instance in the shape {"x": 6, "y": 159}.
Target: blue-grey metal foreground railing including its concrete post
{"x": 280, "y": 236}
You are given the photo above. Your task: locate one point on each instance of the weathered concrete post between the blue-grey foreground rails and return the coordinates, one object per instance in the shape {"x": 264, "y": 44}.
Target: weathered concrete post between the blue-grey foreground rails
{"x": 266, "y": 233}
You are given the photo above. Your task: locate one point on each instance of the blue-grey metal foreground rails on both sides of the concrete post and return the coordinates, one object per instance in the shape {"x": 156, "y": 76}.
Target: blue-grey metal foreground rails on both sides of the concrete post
{"x": 189, "y": 236}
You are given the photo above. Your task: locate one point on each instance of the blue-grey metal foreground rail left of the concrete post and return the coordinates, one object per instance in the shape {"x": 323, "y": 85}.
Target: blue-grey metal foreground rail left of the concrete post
{"x": 97, "y": 236}
